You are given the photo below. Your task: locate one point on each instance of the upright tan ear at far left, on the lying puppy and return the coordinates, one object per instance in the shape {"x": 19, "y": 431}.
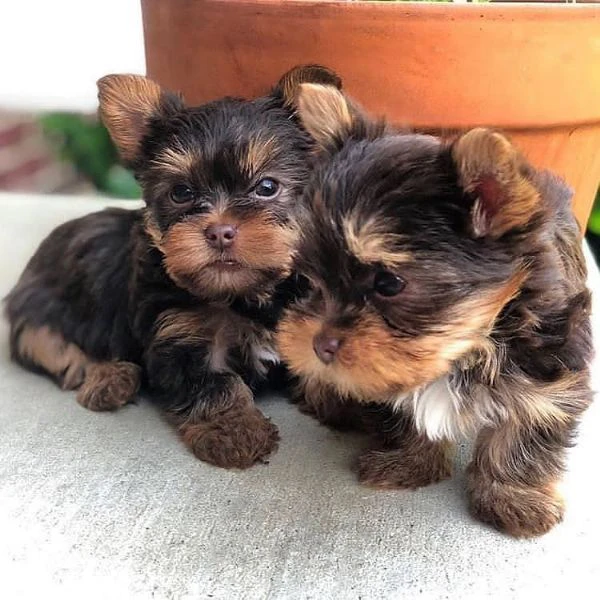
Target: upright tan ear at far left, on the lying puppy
{"x": 127, "y": 103}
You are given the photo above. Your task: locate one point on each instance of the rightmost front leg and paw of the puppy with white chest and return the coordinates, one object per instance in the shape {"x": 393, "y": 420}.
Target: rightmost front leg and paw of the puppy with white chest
{"x": 513, "y": 476}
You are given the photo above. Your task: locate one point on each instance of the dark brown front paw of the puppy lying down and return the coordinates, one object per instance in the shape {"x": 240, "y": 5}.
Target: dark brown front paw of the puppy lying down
{"x": 235, "y": 439}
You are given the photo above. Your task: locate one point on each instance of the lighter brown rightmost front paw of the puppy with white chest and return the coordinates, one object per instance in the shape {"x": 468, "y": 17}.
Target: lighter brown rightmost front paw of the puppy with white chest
{"x": 519, "y": 511}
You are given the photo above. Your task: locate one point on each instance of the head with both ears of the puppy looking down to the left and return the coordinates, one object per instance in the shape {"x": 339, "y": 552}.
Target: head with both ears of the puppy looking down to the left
{"x": 411, "y": 249}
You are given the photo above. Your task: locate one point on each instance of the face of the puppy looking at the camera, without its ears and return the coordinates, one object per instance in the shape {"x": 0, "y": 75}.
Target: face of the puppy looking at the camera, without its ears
{"x": 221, "y": 185}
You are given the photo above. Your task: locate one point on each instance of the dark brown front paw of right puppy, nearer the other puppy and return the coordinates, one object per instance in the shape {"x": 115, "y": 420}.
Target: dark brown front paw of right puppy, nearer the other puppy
{"x": 402, "y": 469}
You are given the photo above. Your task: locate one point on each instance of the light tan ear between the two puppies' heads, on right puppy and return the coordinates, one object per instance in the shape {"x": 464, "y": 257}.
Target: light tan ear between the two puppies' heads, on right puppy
{"x": 324, "y": 112}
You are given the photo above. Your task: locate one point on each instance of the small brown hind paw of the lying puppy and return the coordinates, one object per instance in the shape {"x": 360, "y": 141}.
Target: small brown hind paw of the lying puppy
{"x": 109, "y": 385}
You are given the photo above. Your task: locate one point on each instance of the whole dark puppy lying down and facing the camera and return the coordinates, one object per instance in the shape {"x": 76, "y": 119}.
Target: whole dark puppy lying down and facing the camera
{"x": 181, "y": 295}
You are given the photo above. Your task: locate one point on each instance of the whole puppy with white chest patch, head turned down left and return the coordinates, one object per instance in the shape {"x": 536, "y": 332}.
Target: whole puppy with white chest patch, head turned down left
{"x": 448, "y": 296}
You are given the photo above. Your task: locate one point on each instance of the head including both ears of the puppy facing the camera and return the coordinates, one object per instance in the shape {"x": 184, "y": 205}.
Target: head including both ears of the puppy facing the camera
{"x": 220, "y": 181}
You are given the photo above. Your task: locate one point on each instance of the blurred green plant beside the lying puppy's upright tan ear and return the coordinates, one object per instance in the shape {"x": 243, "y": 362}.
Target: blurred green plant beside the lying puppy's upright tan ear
{"x": 84, "y": 142}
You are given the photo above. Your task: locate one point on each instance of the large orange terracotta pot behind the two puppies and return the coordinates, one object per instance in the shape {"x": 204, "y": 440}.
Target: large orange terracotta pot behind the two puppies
{"x": 530, "y": 70}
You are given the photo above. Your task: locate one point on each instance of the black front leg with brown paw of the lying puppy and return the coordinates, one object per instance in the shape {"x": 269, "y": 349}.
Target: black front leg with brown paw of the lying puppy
{"x": 214, "y": 411}
